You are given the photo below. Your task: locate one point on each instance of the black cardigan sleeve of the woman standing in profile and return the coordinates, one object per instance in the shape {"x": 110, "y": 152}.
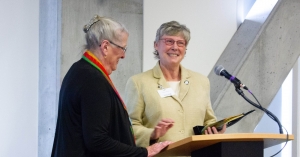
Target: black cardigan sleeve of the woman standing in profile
{"x": 96, "y": 109}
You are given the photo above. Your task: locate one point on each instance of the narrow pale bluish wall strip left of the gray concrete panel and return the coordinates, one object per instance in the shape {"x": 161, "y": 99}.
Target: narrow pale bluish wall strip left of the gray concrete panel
{"x": 49, "y": 72}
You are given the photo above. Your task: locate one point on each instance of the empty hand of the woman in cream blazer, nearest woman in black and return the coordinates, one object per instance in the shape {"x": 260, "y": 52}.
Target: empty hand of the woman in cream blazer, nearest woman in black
{"x": 161, "y": 128}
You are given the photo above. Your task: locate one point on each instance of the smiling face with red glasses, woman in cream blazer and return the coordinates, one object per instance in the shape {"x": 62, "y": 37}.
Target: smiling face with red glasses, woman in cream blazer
{"x": 170, "y": 55}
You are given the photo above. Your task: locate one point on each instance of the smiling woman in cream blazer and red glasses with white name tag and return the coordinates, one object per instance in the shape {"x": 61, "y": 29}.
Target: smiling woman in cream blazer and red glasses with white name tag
{"x": 169, "y": 94}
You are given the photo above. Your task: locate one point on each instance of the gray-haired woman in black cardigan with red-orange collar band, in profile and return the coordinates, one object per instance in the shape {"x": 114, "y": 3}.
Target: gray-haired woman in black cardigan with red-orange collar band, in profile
{"x": 92, "y": 117}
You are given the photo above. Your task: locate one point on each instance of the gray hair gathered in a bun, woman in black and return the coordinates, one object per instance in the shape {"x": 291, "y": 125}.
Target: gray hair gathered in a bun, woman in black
{"x": 102, "y": 28}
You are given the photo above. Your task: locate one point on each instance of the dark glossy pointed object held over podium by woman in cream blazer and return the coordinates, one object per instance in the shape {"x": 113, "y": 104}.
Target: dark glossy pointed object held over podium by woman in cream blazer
{"x": 200, "y": 130}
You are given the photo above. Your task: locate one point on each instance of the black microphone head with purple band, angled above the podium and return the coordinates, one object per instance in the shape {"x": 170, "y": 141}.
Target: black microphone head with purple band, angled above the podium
{"x": 220, "y": 70}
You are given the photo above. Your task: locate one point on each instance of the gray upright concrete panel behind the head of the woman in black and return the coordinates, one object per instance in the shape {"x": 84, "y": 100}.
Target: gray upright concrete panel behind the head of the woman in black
{"x": 77, "y": 13}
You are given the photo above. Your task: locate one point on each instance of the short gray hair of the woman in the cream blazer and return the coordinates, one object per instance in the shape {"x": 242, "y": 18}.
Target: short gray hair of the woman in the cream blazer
{"x": 172, "y": 28}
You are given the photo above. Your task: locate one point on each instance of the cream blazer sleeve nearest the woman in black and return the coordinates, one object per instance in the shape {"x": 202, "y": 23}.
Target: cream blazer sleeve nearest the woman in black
{"x": 136, "y": 107}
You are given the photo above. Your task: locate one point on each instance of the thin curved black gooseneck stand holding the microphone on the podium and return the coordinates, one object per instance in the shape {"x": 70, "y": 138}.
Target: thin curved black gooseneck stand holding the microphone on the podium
{"x": 270, "y": 114}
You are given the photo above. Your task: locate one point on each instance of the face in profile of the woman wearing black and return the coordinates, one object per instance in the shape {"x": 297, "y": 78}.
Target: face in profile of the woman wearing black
{"x": 115, "y": 53}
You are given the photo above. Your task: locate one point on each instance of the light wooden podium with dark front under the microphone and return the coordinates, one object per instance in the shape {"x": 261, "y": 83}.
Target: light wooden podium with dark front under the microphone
{"x": 225, "y": 145}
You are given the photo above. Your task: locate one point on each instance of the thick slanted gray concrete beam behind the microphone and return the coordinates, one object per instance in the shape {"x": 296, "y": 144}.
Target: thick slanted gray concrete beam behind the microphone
{"x": 262, "y": 61}
